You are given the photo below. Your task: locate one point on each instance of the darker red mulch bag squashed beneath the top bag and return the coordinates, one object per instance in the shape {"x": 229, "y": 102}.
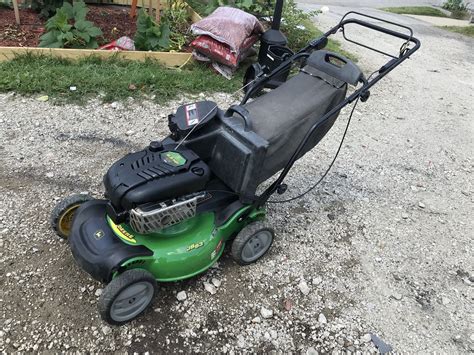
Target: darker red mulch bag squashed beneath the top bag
{"x": 220, "y": 52}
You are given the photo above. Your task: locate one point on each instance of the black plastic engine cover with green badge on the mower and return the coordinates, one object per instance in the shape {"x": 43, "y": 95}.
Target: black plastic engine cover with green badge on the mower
{"x": 155, "y": 174}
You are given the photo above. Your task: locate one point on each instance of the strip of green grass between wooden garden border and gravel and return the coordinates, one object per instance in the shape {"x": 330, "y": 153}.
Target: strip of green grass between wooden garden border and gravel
{"x": 112, "y": 79}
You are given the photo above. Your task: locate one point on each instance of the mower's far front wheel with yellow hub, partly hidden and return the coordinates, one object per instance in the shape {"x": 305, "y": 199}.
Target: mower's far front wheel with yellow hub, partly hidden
{"x": 63, "y": 213}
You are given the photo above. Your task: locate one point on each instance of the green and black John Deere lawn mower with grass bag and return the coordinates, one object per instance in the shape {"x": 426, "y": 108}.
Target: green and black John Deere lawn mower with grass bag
{"x": 170, "y": 209}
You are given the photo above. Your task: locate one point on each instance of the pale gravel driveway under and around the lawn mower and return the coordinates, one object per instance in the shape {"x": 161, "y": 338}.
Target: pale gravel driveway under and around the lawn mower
{"x": 384, "y": 247}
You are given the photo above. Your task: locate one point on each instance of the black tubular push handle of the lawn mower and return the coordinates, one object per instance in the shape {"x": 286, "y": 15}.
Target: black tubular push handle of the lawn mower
{"x": 362, "y": 92}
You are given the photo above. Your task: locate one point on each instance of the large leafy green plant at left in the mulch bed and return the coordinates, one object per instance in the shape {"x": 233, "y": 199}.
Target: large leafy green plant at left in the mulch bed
{"x": 70, "y": 29}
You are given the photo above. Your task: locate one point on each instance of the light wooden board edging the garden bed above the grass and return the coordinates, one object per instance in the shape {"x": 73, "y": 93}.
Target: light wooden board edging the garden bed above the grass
{"x": 169, "y": 59}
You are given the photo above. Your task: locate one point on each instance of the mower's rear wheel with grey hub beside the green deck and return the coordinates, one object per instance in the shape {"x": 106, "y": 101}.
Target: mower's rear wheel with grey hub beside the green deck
{"x": 252, "y": 243}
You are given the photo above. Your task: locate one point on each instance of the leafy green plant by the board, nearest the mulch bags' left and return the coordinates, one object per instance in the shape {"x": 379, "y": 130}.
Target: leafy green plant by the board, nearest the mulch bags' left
{"x": 151, "y": 36}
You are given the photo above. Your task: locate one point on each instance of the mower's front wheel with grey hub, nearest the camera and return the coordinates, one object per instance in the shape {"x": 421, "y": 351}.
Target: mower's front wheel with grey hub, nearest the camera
{"x": 127, "y": 296}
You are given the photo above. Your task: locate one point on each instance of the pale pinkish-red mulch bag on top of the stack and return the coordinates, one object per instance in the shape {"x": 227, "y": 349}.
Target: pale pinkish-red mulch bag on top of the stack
{"x": 230, "y": 26}
